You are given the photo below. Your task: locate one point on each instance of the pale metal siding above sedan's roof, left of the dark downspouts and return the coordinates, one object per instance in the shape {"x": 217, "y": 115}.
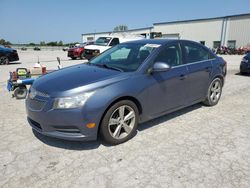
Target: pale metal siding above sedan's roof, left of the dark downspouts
{"x": 208, "y": 31}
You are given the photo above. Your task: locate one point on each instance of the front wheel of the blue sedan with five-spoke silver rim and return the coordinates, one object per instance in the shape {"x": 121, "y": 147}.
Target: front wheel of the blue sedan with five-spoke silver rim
{"x": 114, "y": 128}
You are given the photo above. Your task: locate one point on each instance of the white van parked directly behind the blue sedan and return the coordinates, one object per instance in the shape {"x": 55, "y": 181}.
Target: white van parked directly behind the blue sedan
{"x": 104, "y": 43}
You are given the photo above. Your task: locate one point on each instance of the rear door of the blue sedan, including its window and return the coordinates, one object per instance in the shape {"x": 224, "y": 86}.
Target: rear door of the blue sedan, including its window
{"x": 199, "y": 65}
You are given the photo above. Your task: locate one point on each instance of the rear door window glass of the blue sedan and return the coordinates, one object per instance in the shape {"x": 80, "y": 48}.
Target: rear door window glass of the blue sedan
{"x": 195, "y": 53}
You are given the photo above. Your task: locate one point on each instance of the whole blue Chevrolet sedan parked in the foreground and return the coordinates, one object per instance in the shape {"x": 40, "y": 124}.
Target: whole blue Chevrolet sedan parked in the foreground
{"x": 126, "y": 85}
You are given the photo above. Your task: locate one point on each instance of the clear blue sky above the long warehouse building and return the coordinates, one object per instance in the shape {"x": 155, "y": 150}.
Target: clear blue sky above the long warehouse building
{"x": 24, "y": 21}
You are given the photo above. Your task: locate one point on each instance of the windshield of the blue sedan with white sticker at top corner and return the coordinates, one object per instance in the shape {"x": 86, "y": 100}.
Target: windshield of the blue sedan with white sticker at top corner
{"x": 124, "y": 57}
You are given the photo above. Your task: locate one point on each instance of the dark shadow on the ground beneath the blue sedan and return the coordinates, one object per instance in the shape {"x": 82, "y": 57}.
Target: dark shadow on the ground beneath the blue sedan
{"x": 90, "y": 145}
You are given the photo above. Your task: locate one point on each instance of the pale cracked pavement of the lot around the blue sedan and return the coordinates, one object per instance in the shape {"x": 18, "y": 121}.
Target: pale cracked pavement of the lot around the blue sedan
{"x": 195, "y": 147}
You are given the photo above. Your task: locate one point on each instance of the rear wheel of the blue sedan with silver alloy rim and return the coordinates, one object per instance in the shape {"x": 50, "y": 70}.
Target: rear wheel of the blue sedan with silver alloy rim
{"x": 214, "y": 92}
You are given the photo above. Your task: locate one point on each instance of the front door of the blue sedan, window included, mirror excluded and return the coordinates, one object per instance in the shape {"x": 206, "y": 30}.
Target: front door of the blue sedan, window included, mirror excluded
{"x": 167, "y": 90}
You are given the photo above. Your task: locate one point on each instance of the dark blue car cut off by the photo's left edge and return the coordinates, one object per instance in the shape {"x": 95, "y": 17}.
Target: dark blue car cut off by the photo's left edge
{"x": 7, "y": 55}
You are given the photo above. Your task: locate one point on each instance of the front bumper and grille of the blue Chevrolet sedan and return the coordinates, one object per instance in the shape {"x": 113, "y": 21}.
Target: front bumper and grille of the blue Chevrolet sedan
{"x": 67, "y": 124}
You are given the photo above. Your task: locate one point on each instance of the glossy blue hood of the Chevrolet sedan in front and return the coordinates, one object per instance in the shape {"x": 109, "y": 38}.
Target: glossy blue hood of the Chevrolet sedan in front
{"x": 77, "y": 79}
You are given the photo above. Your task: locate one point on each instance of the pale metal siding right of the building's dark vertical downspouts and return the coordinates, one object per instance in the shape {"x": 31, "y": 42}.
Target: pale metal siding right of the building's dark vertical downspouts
{"x": 239, "y": 30}
